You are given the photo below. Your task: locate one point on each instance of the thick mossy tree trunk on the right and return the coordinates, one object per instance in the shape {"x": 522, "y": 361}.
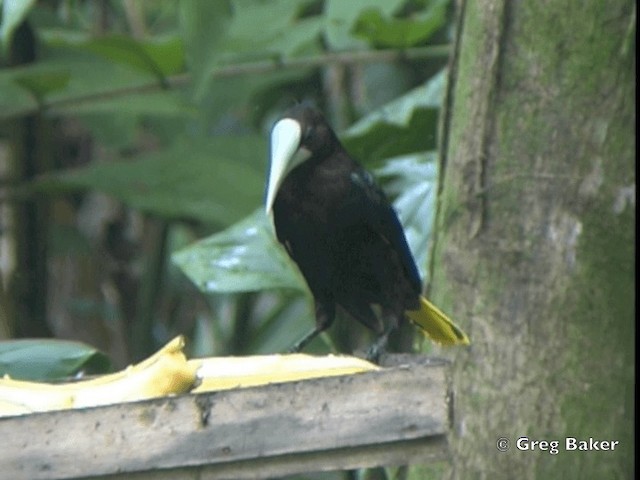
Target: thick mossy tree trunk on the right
{"x": 535, "y": 251}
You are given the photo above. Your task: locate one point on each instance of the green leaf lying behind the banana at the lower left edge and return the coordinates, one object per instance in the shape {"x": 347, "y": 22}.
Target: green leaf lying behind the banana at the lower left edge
{"x": 46, "y": 359}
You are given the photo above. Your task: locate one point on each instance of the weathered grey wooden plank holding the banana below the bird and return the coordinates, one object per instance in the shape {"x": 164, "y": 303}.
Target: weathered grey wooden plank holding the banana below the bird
{"x": 286, "y": 424}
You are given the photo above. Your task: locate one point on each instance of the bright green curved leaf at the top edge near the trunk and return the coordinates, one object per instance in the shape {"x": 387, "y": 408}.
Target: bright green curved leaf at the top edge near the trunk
{"x": 383, "y": 31}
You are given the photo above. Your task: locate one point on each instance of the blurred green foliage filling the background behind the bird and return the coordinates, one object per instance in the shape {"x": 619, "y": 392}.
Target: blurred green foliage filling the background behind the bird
{"x": 177, "y": 98}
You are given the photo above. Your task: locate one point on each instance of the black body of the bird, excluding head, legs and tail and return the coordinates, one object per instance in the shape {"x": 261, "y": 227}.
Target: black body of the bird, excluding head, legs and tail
{"x": 339, "y": 228}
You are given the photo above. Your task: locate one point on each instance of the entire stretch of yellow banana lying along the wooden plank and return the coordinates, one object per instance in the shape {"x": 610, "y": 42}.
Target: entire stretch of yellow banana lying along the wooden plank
{"x": 168, "y": 372}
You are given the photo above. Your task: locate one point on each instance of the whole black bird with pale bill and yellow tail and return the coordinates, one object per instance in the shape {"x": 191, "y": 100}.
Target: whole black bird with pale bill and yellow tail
{"x": 340, "y": 229}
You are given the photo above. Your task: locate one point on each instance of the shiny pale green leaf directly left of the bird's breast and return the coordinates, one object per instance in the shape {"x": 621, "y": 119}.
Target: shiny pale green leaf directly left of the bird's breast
{"x": 245, "y": 257}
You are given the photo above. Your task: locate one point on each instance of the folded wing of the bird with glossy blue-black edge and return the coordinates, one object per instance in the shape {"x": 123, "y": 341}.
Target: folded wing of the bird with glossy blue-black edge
{"x": 371, "y": 204}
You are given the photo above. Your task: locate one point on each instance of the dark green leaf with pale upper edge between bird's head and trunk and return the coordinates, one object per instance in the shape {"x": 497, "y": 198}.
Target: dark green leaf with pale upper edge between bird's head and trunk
{"x": 405, "y": 125}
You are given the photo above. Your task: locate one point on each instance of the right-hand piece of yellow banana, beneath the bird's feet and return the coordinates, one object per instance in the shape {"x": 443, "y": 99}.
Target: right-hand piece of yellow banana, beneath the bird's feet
{"x": 222, "y": 373}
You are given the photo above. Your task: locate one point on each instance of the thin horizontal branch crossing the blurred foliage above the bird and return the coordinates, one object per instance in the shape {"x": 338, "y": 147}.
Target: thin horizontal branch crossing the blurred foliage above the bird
{"x": 250, "y": 68}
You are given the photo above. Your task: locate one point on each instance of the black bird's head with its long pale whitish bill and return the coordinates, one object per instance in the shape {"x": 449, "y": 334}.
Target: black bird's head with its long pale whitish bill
{"x": 301, "y": 133}
